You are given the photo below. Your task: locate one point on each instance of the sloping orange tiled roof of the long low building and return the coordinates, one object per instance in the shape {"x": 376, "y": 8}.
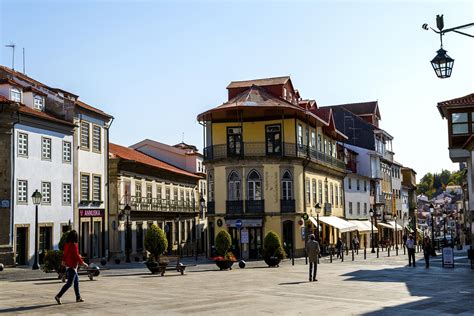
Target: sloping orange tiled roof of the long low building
{"x": 134, "y": 155}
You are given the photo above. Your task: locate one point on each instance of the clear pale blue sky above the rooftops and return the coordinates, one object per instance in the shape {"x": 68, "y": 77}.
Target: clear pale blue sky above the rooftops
{"x": 155, "y": 65}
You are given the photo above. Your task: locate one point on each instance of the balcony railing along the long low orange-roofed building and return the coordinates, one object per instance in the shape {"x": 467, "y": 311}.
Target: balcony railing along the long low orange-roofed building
{"x": 161, "y": 205}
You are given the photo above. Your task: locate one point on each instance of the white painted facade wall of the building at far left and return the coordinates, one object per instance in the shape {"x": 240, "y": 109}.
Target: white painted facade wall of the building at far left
{"x": 35, "y": 170}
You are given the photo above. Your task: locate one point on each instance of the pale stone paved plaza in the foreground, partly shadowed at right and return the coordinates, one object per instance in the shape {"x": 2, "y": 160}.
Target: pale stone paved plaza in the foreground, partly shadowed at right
{"x": 373, "y": 286}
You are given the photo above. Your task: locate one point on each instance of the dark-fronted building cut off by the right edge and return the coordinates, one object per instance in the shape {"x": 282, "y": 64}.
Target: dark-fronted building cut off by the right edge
{"x": 458, "y": 113}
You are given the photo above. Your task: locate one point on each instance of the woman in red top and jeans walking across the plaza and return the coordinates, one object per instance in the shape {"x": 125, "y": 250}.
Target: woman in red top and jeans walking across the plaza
{"x": 71, "y": 260}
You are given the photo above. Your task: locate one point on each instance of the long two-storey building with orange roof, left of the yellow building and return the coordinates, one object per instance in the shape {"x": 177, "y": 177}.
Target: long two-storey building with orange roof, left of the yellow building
{"x": 157, "y": 193}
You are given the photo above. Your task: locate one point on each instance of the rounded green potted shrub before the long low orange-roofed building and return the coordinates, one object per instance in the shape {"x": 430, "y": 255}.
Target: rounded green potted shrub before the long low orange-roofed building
{"x": 155, "y": 244}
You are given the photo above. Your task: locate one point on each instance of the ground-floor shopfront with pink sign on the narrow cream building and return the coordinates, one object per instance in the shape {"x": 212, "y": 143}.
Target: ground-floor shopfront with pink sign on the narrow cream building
{"x": 92, "y": 233}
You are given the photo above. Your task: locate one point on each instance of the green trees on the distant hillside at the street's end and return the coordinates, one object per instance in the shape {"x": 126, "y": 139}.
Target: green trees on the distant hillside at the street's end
{"x": 434, "y": 183}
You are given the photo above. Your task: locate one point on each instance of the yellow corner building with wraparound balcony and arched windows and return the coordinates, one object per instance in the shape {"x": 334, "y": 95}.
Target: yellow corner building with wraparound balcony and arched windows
{"x": 270, "y": 158}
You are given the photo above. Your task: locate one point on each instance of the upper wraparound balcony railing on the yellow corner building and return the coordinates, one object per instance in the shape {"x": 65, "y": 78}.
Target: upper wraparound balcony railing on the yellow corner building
{"x": 259, "y": 149}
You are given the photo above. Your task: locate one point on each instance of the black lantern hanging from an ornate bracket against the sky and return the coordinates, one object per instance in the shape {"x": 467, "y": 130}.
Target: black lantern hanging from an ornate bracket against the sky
{"x": 442, "y": 63}
